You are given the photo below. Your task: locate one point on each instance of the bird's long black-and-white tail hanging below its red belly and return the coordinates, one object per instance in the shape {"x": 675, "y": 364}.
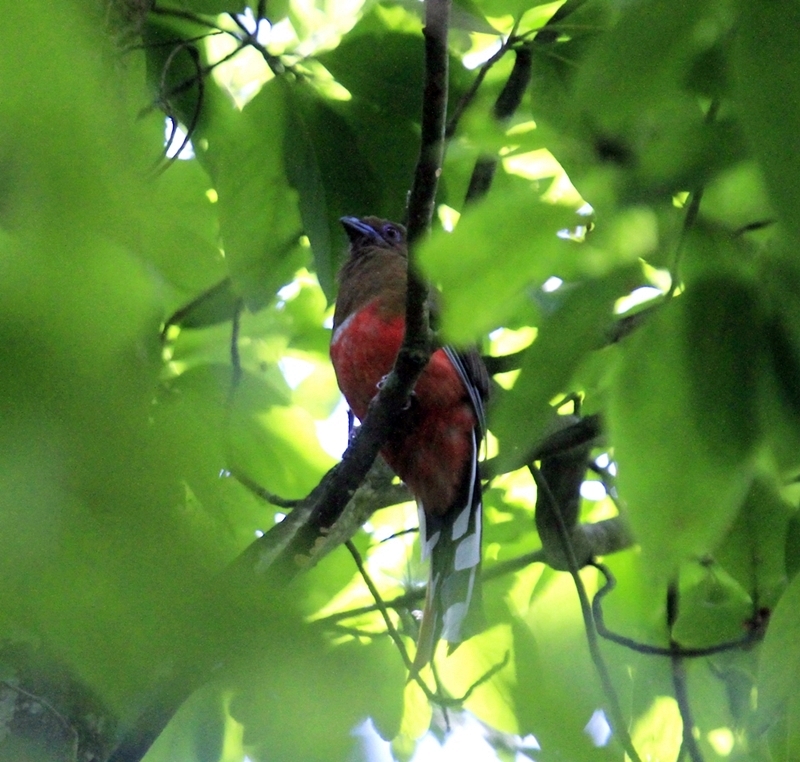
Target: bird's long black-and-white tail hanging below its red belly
{"x": 453, "y": 606}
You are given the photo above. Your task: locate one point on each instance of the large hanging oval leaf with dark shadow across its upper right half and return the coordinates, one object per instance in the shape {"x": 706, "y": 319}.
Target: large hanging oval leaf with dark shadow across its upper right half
{"x": 683, "y": 420}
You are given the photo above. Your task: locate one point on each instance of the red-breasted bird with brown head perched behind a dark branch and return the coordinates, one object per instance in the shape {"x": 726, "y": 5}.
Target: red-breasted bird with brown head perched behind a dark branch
{"x": 434, "y": 448}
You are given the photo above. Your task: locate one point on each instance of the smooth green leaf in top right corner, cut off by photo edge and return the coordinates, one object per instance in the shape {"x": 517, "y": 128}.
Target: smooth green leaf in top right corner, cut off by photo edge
{"x": 766, "y": 66}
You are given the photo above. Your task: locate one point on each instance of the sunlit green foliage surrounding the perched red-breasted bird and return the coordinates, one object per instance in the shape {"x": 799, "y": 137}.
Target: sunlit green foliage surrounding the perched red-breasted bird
{"x": 152, "y": 311}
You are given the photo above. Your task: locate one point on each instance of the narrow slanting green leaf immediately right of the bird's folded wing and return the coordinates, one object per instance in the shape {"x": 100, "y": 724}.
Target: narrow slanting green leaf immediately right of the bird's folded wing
{"x": 565, "y": 337}
